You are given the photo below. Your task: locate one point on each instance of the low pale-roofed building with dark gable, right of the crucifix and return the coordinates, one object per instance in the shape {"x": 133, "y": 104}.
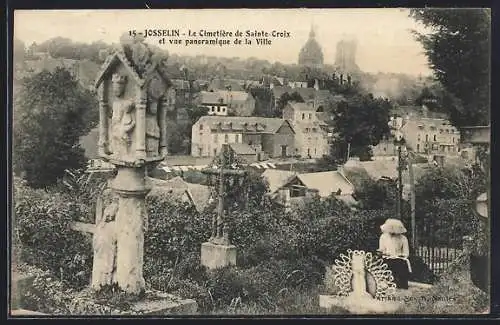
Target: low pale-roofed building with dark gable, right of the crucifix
{"x": 287, "y": 184}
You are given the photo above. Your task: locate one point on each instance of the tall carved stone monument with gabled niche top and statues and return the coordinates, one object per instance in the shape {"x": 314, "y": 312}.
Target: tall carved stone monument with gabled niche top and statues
{"x": 132, "y": 87}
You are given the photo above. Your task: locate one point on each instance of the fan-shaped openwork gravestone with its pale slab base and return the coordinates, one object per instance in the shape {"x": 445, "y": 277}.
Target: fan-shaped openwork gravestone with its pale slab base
{"x": 363, "y": 285}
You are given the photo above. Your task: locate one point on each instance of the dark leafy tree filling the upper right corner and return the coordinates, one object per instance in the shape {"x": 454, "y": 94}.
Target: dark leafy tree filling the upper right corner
{"x": 458, "y": 50}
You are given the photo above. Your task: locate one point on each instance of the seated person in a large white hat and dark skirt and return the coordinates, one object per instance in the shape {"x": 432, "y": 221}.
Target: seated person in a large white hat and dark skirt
{"x": 395, "y": 251}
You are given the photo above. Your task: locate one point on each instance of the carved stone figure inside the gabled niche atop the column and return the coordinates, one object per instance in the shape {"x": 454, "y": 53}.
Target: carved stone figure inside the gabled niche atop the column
{"x": 122, "y": 120}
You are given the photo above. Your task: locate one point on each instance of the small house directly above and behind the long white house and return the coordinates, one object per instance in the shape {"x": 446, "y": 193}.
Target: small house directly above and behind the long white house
{"x": 224, "y": 102}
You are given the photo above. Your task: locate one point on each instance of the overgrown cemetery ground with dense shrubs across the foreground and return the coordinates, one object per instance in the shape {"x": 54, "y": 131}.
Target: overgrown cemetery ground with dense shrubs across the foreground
{"x": 280, "y": 264}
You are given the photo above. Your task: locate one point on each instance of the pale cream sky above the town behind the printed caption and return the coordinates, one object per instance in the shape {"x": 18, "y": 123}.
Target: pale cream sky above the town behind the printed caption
{"x": 384, "y": 39}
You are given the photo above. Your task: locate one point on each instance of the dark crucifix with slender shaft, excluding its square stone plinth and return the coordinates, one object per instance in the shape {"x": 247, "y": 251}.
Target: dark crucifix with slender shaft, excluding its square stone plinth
{"x": 220, "y": 230}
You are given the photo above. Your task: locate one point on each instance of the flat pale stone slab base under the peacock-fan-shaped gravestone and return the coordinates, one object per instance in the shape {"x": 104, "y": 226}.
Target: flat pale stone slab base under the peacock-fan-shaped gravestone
{"x": 359, "y": 305}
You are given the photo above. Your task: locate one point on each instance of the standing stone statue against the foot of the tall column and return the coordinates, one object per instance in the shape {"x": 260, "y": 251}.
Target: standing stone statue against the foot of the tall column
{"x": 104, "y": 241}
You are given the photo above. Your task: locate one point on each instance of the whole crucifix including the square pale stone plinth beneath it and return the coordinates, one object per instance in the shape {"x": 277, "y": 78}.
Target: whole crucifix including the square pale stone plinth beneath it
{"x": 218, "y": 251}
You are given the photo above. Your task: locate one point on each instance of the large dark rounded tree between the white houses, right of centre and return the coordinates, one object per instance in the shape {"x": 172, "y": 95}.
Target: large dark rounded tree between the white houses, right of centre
{"x": 360, "y": 122}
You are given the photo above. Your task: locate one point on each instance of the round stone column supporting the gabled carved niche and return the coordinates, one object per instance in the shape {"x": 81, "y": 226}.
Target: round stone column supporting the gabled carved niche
{"x": 131, "y": 217}
